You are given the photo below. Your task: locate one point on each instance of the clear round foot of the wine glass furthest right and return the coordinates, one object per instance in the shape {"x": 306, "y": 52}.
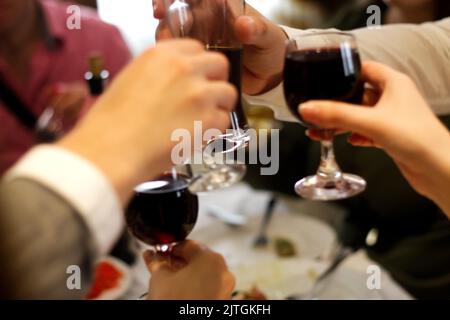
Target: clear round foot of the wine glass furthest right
{"x": 317, "y": 188}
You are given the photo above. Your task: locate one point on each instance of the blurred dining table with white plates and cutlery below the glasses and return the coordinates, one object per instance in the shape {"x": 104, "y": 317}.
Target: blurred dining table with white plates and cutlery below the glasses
{"x": 309, "y": 227}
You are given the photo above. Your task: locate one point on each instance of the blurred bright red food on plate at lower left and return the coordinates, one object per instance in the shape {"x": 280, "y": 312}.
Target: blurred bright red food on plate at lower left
{"x": 107, "y": 276}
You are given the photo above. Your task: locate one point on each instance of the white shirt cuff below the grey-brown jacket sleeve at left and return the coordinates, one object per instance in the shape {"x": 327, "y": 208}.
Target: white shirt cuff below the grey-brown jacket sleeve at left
{"x": 81, "y": 184}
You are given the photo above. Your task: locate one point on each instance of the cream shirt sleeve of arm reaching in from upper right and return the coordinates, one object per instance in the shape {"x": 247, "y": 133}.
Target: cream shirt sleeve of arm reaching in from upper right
{"x": 420, "y": 51}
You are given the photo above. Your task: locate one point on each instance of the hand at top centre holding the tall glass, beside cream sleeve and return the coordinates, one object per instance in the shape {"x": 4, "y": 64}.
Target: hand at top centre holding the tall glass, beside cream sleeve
{"x": 263, "y": 41}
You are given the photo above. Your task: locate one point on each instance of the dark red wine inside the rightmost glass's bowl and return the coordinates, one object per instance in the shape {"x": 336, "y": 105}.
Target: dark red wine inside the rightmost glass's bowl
{"x": 325, "y": 74}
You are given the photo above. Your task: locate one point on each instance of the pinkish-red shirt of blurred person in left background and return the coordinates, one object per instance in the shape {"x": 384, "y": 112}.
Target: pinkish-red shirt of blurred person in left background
{"x": 66, "y": 62}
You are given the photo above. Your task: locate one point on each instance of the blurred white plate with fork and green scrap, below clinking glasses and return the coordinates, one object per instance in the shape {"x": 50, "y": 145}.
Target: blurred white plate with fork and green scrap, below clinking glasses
{"x": 276, "y": 277}
